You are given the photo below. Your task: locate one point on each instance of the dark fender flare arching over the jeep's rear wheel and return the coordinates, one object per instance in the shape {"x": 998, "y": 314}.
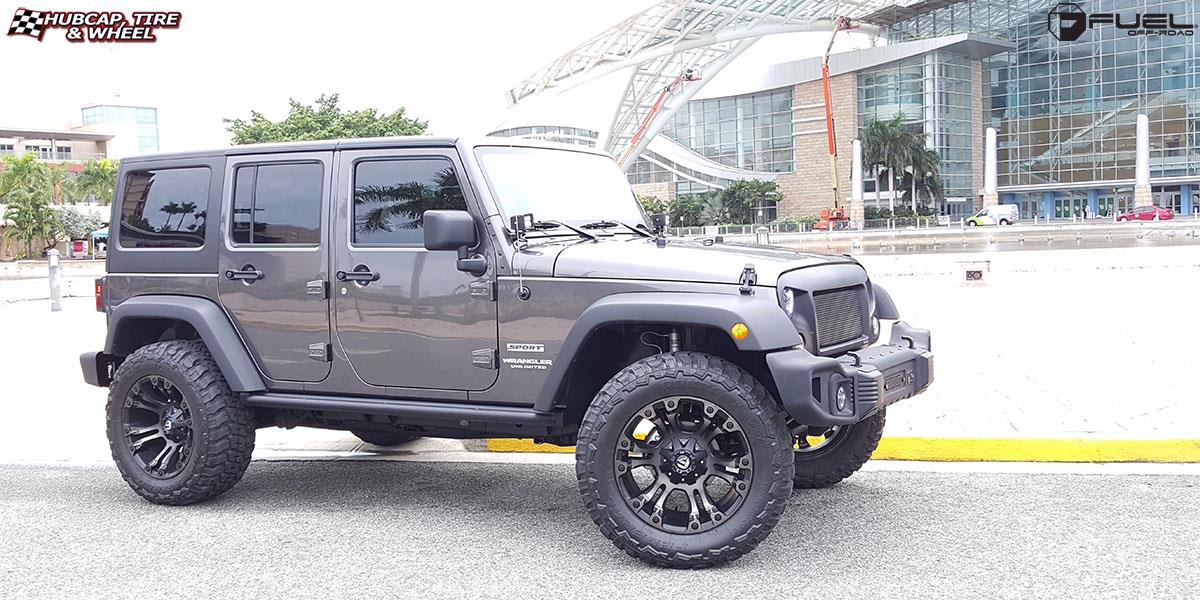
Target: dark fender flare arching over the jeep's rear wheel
{"x": 209, "y": 322}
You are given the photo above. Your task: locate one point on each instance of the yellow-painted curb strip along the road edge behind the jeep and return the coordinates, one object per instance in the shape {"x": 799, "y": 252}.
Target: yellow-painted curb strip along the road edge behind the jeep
{"x": 982, "y": 449}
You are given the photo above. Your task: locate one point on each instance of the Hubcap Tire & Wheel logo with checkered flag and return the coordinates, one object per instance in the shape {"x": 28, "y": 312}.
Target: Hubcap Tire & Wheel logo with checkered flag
{"x": 94, "y": 27}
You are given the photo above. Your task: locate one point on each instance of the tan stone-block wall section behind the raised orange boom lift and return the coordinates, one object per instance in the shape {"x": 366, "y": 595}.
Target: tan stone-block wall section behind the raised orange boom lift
{"x": 807, "y": 191}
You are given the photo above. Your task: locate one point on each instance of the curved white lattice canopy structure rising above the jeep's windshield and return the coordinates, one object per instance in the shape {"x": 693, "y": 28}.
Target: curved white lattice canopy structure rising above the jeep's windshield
{"x": 668, "y": 39}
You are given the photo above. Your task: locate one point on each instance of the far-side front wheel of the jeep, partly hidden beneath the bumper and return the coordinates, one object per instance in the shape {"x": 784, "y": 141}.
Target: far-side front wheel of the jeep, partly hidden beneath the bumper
{"x": 827, "y": 457}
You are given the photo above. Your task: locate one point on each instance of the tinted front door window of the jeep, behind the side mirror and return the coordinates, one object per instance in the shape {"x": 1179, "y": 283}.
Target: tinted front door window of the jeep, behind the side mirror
{"x": 392, "y": 196}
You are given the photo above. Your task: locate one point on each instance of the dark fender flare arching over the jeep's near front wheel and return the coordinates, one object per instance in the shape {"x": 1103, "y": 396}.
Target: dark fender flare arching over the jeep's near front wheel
{"x": 771, "y": 329}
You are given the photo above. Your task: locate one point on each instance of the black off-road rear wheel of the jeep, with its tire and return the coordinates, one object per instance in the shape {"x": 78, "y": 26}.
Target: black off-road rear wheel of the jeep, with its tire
{"x": 178, "y": 434}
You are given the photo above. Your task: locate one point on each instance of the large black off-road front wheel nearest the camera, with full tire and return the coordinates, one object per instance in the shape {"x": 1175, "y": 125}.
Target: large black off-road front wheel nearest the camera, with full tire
{"x": 685, "y": 461}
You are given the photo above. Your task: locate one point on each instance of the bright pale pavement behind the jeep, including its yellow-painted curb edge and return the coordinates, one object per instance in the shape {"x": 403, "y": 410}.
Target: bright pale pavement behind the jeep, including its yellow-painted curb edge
{"x": 1063, "y": 356}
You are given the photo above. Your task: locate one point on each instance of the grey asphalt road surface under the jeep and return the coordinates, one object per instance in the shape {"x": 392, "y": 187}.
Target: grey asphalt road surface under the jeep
{"x": 388, "y": 530}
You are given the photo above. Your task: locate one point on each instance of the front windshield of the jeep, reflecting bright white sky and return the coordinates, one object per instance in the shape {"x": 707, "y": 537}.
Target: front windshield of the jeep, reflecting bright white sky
{"x": 561, "y": 187}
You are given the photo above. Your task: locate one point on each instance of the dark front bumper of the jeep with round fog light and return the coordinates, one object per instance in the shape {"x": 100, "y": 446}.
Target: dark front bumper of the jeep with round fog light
{"x": 826, "y": 392}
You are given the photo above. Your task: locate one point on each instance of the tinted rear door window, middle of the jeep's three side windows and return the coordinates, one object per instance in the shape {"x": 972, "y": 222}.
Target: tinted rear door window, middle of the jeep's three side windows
{"x": 278, "y": 203}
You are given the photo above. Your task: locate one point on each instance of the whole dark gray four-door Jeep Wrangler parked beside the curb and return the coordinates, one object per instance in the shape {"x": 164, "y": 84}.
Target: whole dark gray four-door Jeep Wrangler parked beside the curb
{"x": 410, "y": 287}
